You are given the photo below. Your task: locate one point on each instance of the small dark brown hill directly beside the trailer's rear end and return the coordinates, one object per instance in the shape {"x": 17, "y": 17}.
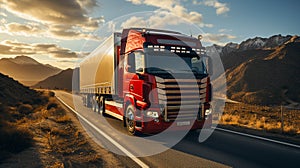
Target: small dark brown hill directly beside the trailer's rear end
{"x": 62, "y": 80}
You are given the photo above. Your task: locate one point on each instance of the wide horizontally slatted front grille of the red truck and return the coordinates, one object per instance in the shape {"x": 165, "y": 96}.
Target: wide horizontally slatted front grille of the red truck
{"x": 181, "y": 99}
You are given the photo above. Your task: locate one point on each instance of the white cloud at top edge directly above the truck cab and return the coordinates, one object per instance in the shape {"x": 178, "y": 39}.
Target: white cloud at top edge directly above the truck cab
{"x": 174, "y": 7}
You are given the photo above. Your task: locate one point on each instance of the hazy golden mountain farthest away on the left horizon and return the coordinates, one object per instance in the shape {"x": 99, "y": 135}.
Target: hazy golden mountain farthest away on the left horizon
{"x": 26, "y": 70}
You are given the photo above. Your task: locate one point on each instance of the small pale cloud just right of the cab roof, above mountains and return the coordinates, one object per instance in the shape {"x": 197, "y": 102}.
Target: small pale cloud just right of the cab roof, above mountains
{"x": 220, "y": 39}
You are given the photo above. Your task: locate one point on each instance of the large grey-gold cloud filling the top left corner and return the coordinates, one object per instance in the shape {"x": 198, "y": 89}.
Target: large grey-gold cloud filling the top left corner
{"x": 54, "y": 12}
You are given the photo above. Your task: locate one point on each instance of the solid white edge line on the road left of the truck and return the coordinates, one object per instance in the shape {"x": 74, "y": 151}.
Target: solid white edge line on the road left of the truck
{"x": 129, "y": 154}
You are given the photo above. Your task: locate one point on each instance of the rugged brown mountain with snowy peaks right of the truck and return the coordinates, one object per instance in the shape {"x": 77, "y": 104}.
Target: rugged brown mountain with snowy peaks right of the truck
{"x": 263, "y": 70}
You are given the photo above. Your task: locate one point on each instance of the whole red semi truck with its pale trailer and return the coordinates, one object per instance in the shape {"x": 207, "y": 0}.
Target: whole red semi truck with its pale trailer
{"x": 149, "y": 79}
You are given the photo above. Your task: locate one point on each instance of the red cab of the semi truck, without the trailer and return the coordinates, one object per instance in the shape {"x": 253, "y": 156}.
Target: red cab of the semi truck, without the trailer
{"x": 165, "y": 81}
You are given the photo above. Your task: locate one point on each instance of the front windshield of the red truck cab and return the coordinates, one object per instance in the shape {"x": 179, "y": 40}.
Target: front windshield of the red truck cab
{"x": 174, "y": 63}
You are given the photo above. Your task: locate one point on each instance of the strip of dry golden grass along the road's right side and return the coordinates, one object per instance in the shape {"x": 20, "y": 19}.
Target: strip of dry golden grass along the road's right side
{"x": 262, "y": 118}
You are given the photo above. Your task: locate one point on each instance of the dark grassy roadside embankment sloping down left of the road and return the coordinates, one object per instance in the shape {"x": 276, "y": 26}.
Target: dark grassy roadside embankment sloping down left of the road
{"x": 36, "y": 131}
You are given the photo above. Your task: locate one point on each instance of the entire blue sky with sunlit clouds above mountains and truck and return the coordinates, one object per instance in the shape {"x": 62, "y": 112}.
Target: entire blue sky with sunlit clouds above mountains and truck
{"x": 62, "y": 33}
